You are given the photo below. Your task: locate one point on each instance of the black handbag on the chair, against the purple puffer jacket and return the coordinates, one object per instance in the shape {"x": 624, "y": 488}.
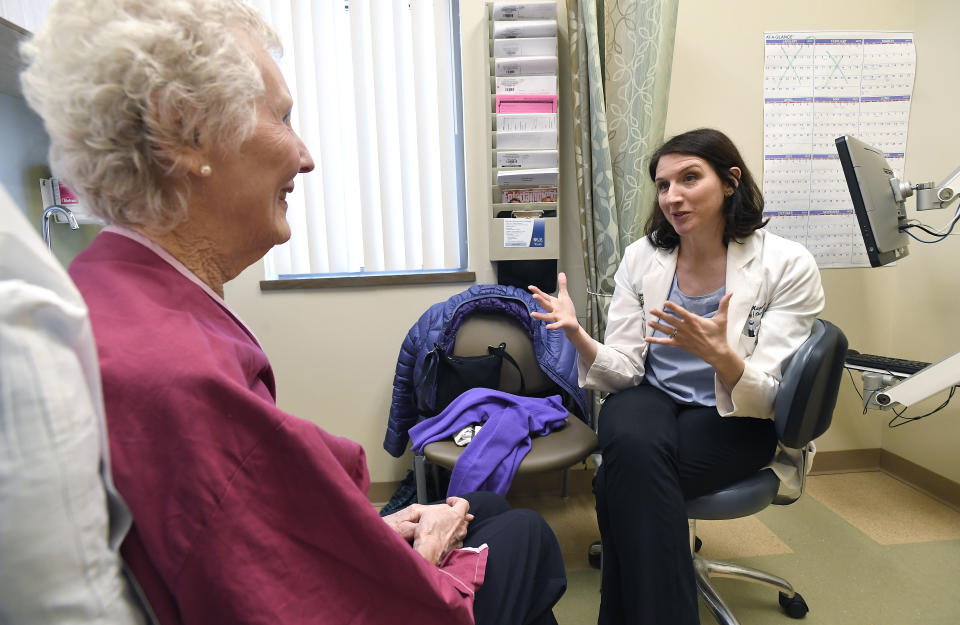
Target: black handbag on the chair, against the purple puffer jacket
{"x": 445, "y": 376}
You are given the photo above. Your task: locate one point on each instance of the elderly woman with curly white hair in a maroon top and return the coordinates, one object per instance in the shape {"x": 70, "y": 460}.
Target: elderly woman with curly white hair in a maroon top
{"x": 171, "y": 120}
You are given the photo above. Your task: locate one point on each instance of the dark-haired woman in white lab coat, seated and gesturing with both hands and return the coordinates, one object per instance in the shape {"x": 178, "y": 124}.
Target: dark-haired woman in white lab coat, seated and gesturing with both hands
{"x": 706, "y": 308}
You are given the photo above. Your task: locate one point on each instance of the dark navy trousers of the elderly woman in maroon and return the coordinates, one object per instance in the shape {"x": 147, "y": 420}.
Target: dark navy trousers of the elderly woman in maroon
{"x": 525, "y": 576}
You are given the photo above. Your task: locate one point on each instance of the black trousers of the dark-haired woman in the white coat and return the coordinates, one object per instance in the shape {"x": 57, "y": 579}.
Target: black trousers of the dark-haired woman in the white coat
{"x": 656, "y": 455}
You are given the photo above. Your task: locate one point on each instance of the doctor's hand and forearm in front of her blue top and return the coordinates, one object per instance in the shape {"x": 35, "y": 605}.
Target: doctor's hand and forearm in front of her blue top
{"x": 705, "y": 337}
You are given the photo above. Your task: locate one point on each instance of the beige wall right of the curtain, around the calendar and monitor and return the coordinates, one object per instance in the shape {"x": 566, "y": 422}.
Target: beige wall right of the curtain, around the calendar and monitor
{"x": 910, "y": 310}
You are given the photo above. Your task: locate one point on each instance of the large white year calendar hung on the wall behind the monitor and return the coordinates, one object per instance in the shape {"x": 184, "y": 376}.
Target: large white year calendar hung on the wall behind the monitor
{"x": 818, "y": 86}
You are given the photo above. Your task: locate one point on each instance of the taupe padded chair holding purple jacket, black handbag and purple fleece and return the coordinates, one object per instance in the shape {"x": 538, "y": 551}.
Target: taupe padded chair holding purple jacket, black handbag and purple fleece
{"x": 559, "y": 450}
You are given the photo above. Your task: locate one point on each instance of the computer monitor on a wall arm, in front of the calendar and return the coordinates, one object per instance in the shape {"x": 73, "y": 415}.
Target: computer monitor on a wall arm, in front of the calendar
{"x": 879, "y": 213}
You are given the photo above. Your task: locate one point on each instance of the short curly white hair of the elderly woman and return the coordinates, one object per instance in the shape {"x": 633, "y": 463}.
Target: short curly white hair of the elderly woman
{"x": 124, "y": 86}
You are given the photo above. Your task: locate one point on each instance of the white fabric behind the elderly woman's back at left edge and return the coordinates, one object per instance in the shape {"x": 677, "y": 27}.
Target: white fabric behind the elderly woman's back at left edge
{"x": 61, "y": 521}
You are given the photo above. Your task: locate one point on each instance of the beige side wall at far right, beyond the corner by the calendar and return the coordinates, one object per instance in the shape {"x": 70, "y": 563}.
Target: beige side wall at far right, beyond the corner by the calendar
{"x": 926, "y": 322}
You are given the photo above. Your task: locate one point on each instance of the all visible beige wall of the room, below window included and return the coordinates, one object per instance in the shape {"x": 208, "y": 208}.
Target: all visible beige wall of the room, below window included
{"x": 334, "y": 351}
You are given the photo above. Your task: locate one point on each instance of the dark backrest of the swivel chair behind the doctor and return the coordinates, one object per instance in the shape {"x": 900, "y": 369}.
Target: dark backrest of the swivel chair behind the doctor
{"x": 808, "y": 391}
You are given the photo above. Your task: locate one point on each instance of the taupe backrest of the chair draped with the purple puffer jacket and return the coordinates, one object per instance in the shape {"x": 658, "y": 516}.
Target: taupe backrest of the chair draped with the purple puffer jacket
{"x": 480, "y": 330}
